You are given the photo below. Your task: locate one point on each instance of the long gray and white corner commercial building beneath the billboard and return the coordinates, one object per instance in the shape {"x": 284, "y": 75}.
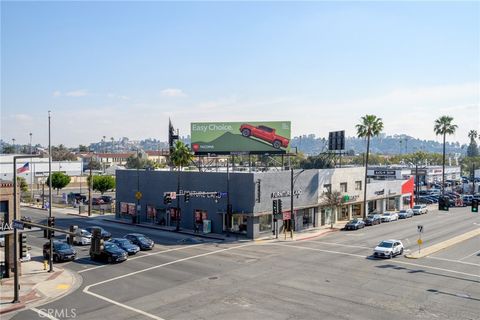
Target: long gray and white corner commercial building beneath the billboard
{"x": 251, "y": 196}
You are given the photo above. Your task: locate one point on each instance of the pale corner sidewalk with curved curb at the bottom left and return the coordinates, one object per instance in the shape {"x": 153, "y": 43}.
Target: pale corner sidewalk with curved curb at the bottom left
{"x": 37, "y": 286}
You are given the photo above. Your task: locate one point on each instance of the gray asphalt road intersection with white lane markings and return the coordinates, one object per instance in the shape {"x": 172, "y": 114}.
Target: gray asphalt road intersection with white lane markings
{"x": 329, "y": 277}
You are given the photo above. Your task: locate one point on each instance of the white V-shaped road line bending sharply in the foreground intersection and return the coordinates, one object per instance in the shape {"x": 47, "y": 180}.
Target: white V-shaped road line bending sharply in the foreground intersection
{"x": 87, "y": 288}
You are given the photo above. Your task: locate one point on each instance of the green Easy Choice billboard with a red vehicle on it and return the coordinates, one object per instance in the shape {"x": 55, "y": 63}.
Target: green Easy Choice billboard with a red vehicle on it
{"x": 240, "y": 137}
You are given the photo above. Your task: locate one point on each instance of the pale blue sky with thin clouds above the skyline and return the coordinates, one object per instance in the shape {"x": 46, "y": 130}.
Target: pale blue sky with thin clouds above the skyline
{"x": 122, "y": 68}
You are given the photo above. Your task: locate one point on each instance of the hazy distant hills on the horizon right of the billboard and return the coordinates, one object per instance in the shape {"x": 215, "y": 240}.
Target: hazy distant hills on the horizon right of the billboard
{"x": 397, "y": 144}
